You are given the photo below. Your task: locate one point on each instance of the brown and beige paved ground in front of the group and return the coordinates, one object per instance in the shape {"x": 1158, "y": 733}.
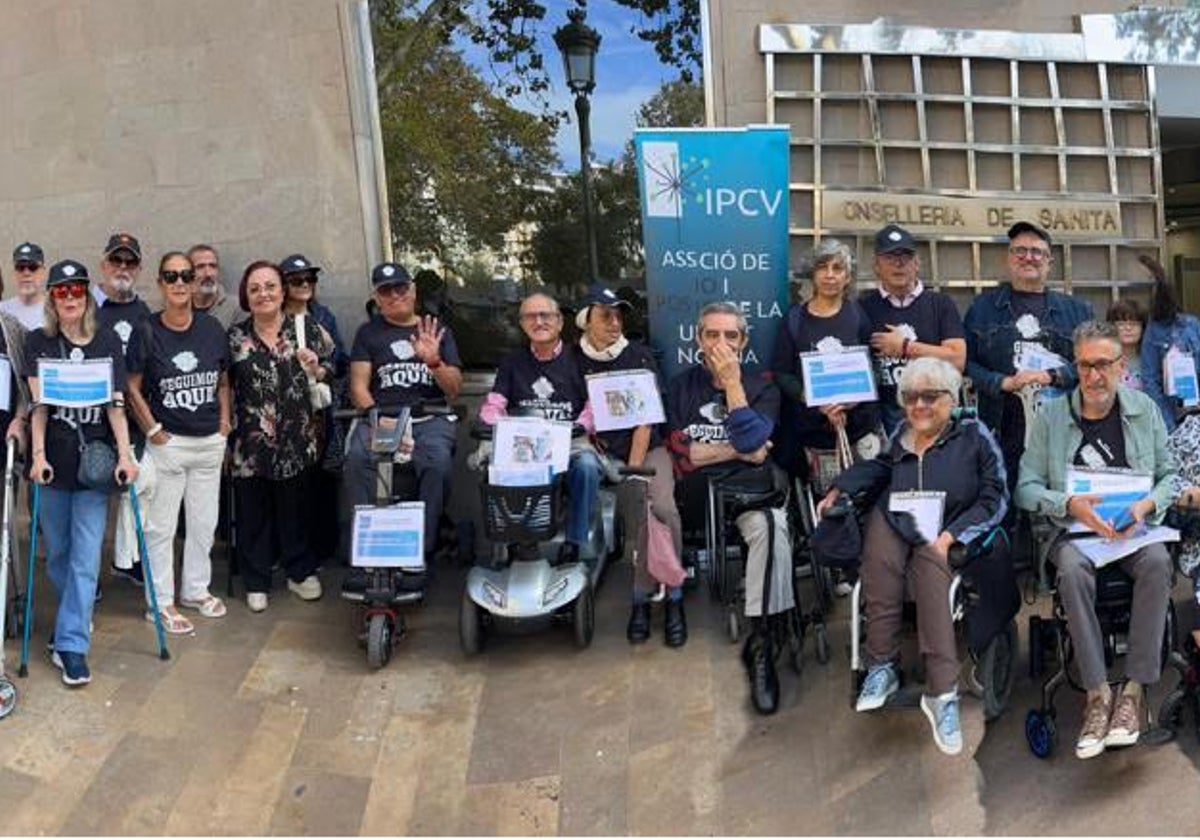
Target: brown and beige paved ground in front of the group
{"x": 274, "y": 724}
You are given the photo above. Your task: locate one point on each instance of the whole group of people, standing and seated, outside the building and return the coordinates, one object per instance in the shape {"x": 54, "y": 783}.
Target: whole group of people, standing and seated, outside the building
{"x": 220, "y": 386}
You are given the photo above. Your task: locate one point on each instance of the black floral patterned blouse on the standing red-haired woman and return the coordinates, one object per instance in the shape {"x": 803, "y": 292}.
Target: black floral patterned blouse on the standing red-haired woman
{"x": 277, "y": 434}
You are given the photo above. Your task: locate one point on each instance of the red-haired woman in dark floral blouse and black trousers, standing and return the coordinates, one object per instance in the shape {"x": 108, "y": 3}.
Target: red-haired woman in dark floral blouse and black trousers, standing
{"x": 277, "y": 435}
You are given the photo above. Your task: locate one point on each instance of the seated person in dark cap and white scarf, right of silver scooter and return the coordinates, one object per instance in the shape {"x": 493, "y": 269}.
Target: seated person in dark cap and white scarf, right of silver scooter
{"x": 604, "y": 349}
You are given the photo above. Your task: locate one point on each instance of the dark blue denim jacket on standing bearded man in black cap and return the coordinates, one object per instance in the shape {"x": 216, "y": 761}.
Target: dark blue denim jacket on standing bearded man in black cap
{"x": 991, "y": 327}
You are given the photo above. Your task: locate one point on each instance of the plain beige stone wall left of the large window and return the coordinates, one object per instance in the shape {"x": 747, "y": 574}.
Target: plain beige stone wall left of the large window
{"x": 181, "y": 122}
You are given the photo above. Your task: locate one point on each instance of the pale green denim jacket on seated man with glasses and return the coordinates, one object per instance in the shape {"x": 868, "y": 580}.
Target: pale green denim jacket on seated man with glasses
{"x": 1057, "y": 437}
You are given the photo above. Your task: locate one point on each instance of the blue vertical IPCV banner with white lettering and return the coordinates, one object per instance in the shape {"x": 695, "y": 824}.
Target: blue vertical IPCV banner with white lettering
{"x": 715, "y": 226}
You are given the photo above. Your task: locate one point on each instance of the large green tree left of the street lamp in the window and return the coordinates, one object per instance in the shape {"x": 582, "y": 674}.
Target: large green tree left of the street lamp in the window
{"x": 460, "y": 159}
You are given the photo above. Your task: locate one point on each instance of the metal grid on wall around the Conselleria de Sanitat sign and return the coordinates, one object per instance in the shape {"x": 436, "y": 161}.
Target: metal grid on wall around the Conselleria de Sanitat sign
{"x": 967, "y": 127}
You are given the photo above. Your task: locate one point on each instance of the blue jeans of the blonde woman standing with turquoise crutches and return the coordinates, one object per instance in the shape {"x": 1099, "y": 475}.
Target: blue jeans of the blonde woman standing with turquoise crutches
{"x": 74, "y": 529}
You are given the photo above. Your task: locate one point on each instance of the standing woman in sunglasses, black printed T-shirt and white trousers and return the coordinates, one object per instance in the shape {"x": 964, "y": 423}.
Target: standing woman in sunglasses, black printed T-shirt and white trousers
{"x": 179, "y": 392}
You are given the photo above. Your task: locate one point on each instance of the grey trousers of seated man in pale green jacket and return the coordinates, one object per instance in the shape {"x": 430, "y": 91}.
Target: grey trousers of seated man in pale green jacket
{"x": 1151, "y": 572}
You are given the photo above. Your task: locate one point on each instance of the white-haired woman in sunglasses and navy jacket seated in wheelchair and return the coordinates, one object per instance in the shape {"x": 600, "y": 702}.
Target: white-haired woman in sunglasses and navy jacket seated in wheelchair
{"x": 949, "y": 473}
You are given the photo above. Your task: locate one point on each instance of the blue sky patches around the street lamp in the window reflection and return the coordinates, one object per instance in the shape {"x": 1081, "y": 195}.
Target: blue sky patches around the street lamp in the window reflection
{"x": 628, "y": 74}
